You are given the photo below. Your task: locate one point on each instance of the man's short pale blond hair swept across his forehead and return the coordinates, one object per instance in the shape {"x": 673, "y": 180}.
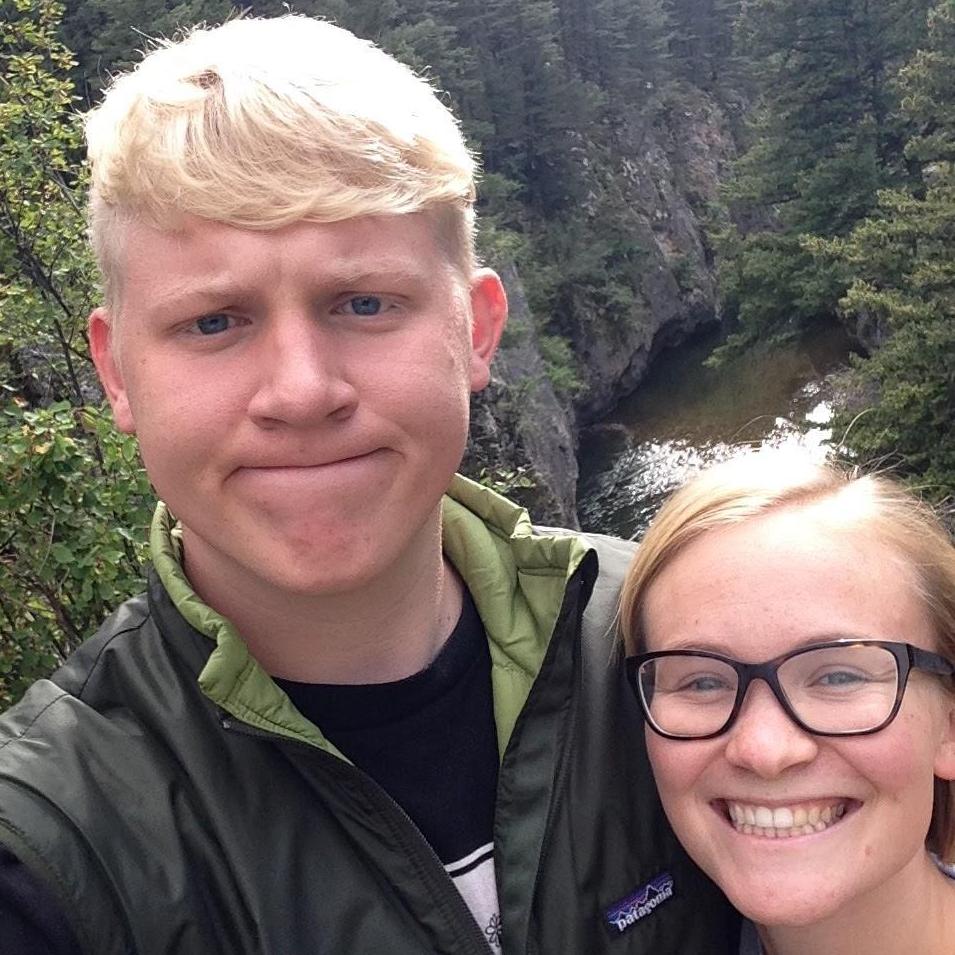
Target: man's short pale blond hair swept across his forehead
{"x": 261, "y": 123}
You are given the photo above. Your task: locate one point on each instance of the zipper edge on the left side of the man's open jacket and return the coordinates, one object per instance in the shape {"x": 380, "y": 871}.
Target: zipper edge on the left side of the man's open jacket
{"x": 401, "y": 827}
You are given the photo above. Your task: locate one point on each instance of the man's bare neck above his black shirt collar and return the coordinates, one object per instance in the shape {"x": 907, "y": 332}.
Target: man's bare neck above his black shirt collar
{"x": 390, "y": 628}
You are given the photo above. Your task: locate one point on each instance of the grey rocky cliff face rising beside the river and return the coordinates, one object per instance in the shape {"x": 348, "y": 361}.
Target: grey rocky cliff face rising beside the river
{"x": 521, "y": 429}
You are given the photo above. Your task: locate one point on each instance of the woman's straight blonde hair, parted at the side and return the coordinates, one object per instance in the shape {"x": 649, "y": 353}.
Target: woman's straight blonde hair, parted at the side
{"x": 755, "y": 484}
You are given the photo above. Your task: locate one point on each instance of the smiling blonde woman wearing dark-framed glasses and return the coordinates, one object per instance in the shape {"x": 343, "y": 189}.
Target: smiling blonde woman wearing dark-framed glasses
{"x": 791, "y": 632}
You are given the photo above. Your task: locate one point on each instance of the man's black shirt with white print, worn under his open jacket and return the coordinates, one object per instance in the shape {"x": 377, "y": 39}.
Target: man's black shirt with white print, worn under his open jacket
{"x": 429, "y": 741}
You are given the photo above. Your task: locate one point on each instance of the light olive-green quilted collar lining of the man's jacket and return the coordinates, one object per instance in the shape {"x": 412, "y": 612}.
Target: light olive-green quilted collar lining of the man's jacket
{"x": 516, "y": 575}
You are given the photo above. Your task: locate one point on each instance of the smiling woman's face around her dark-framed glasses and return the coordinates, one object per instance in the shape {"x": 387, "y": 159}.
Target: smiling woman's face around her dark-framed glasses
{"x": 754, "y": 591}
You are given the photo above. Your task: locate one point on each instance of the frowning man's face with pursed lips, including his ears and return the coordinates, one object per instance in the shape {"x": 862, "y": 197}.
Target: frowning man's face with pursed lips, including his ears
{"x": 300, "y": 396}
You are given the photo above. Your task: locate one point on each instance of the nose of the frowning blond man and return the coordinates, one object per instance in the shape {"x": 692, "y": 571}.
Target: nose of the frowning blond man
{"x": 302, "y": 376}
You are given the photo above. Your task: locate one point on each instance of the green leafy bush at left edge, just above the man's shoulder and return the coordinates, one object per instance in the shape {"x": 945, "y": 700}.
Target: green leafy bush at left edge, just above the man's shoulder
{"x": 74, "y": 509}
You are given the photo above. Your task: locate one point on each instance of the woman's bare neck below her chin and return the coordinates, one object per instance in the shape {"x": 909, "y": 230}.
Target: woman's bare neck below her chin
{"x": 912, "y": 912}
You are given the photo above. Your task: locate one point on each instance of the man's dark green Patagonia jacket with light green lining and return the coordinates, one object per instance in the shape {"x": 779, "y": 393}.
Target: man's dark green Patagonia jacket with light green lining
{"x": 175, "y": 801}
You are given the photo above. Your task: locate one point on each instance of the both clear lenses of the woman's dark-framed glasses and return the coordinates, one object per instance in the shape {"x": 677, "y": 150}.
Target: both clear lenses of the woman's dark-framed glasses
{"x": 847, "y": 689}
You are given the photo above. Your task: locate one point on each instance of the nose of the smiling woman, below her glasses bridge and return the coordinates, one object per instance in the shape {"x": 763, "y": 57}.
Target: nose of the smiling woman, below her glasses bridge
{"x": 764, "y": 740}
